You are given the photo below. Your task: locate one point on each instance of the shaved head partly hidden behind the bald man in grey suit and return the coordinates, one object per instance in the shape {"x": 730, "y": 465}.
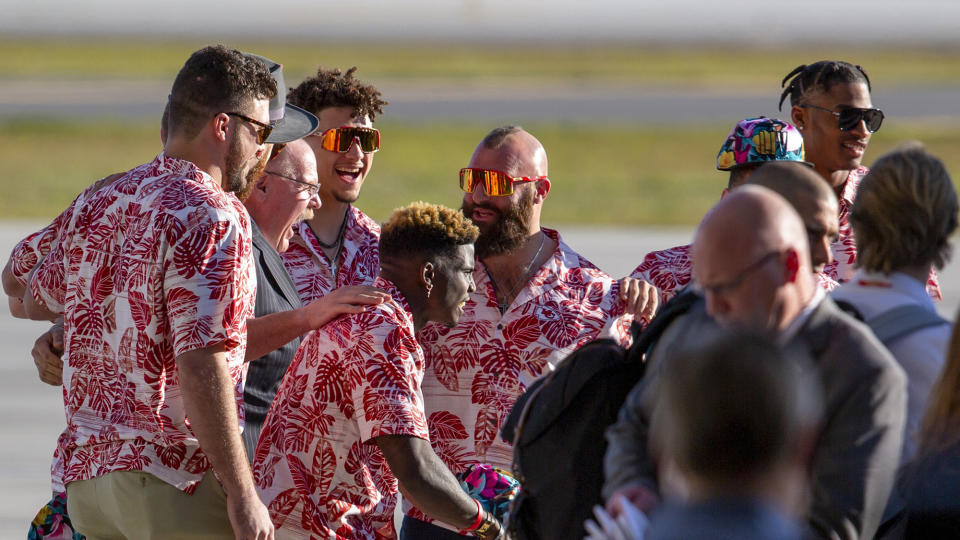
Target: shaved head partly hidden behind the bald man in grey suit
{"x": 812, "y": 198}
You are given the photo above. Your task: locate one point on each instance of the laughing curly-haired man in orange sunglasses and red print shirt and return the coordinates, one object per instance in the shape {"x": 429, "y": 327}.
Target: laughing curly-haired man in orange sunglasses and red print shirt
{"x": 338, "y": 246}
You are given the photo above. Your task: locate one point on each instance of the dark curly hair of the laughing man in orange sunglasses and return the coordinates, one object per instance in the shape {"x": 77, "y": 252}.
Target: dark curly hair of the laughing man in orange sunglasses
{"x": 331, "y": 88}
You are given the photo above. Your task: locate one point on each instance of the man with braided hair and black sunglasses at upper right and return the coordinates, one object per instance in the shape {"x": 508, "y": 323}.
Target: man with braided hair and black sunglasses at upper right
{"x": 831, "y": 107}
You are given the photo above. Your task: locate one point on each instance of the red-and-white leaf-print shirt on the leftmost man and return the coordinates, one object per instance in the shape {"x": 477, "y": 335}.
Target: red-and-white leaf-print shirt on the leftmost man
{"x": 155, "y": 265}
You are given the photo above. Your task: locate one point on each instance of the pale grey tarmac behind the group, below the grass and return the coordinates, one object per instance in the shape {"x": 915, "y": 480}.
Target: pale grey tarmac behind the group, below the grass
{"x": 33, "y": 411}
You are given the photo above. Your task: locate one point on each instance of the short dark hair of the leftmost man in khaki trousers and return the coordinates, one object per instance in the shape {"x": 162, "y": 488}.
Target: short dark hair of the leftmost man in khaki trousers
{"x": 215, "y": 79}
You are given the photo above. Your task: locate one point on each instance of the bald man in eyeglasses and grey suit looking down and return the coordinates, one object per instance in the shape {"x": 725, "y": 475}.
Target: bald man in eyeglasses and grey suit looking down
{"x": 751, "y": 262}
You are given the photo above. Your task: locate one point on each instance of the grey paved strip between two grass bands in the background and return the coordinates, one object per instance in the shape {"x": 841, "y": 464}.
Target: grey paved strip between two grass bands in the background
{"x": 427, "y": 101}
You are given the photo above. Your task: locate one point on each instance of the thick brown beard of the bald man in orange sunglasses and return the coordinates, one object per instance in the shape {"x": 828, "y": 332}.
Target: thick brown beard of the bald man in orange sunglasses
{"x": 508, "y": 232}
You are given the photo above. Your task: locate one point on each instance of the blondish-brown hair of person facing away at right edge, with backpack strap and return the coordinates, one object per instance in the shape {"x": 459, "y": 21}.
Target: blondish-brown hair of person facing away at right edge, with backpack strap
{"x": 905, "y": 211}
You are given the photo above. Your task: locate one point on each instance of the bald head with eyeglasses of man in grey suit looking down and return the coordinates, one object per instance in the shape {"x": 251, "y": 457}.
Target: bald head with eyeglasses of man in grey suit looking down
{"x": 750, "y": 256}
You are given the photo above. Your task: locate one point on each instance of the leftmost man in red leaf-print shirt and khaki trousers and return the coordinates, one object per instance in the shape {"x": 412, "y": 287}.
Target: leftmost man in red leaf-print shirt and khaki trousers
{"x": 154, "y": 279}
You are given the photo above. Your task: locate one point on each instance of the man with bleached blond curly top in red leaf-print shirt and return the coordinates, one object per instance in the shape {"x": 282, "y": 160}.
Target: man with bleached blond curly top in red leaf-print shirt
{"x": 347, "y": 427}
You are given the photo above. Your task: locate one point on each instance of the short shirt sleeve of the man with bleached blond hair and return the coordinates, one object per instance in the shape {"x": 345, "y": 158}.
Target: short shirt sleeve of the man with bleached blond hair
{"x": 389, "y": 402}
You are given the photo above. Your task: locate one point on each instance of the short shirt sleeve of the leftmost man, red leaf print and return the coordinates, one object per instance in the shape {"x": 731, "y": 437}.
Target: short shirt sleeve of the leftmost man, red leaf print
{"x": 208, "y": 284}
